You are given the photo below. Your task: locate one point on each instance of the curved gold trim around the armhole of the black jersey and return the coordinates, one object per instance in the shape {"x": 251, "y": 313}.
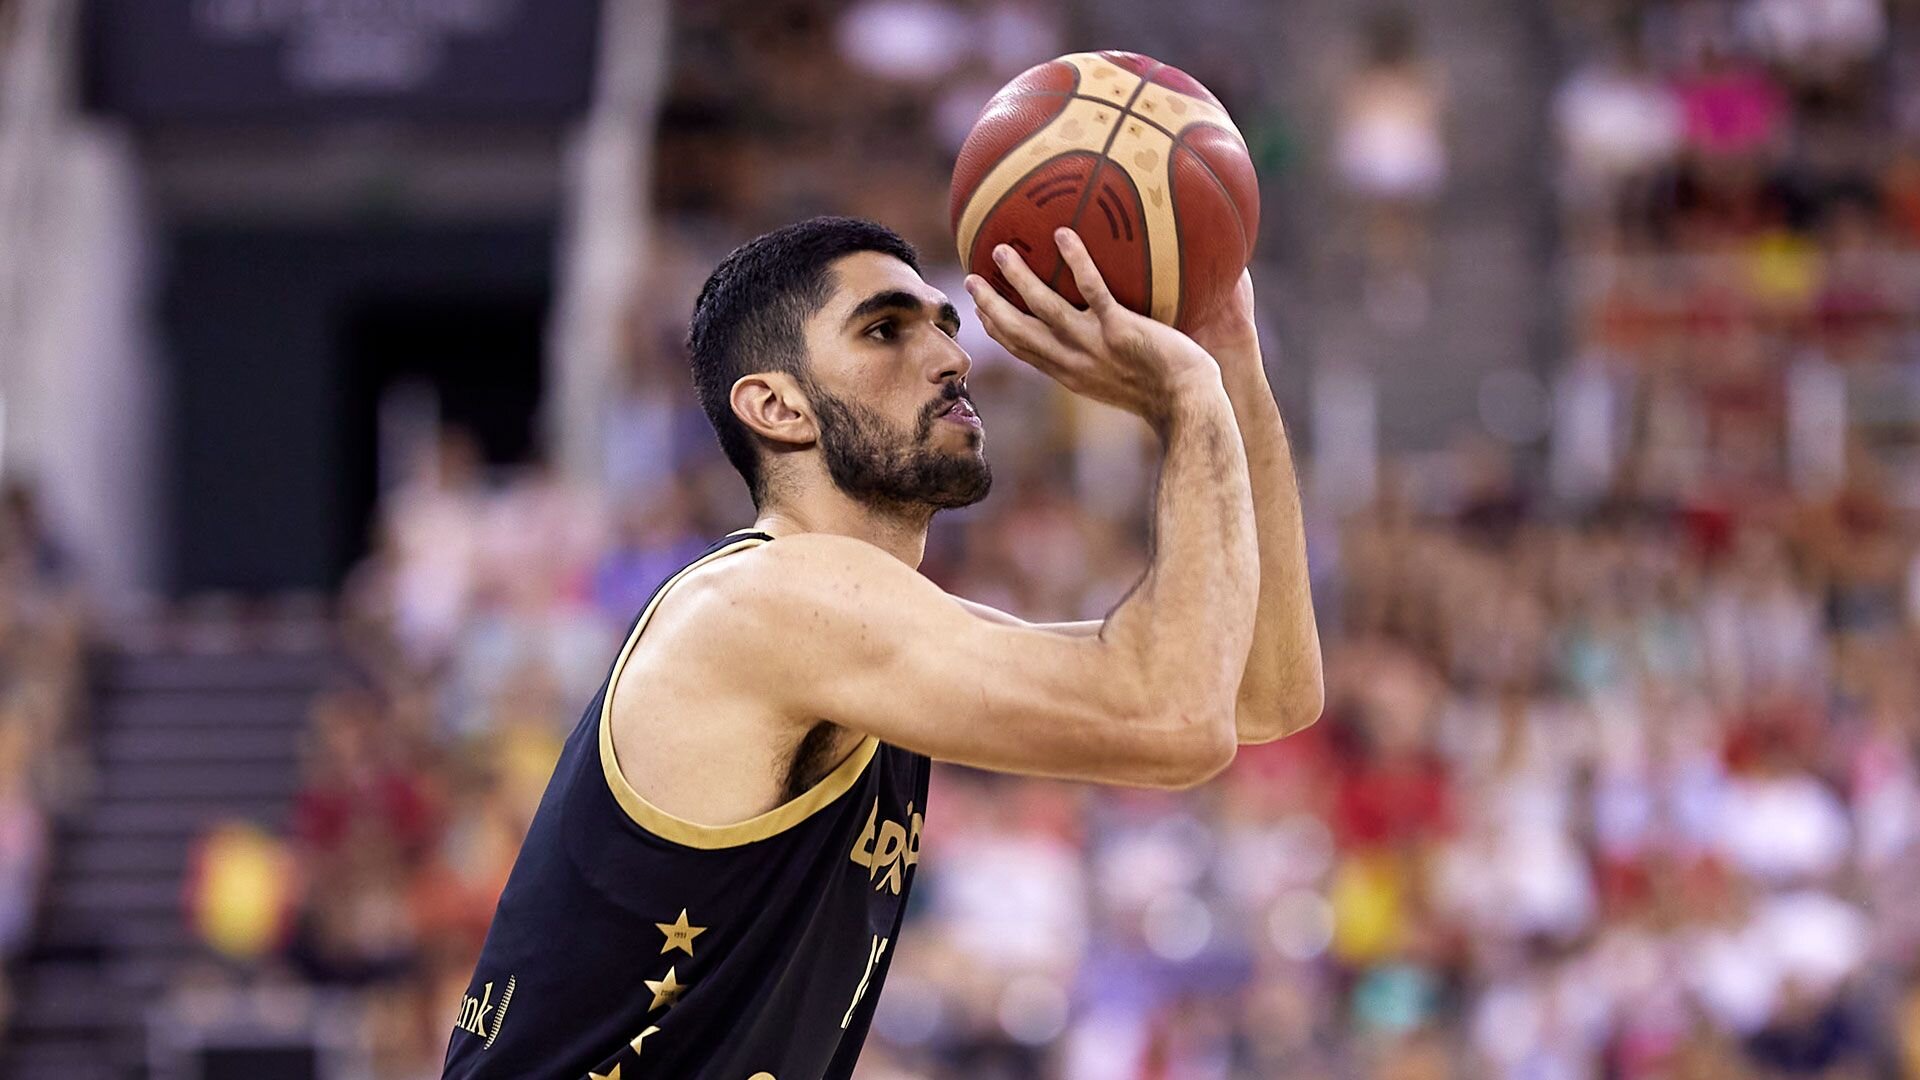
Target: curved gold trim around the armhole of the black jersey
{"x": 711, "y": 837}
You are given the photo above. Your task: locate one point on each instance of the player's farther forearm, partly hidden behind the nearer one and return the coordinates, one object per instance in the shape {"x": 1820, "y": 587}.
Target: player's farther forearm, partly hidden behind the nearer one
{"x": 1282, "y": 689}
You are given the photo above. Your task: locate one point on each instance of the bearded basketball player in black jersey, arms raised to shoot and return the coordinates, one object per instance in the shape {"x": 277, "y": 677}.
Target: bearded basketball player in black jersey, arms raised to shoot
{"x": 713, "y": 885}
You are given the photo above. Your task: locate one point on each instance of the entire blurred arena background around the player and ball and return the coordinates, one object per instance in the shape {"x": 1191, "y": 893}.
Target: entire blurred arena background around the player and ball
{"x": 345, "y": 422}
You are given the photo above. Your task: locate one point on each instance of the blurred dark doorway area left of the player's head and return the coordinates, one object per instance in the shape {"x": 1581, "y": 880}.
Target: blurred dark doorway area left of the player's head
{"x": 281, "y": 341}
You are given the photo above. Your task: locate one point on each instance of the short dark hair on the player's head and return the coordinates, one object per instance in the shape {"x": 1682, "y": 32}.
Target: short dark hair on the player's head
{"x": 754, "y": 308}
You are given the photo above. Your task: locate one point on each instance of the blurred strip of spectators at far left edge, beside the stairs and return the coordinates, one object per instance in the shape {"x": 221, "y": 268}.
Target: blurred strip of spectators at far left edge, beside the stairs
{"x": 41, "y": 743}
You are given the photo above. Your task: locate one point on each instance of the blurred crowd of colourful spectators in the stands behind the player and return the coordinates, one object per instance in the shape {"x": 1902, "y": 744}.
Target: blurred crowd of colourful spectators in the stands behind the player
{"x": 1610, "y": 787}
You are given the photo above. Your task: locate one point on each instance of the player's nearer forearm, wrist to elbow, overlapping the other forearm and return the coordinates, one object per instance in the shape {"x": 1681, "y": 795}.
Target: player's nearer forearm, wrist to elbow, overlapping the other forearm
{"x": 1189, "y": 626}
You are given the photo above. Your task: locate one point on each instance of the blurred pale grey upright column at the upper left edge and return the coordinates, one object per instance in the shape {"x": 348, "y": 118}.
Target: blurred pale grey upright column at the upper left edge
{"x": 78, "y": 383}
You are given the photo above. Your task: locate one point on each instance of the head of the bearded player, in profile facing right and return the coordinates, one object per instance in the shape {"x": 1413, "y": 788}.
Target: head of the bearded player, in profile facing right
{"x": 821, "y": 339}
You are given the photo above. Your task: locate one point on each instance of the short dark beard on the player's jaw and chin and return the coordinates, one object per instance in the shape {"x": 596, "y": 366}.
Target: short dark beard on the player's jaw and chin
{"x": 882, "y": 466}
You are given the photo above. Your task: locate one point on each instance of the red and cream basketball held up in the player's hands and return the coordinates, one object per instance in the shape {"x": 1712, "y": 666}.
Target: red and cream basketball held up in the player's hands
{"x": 1138, "y": 159}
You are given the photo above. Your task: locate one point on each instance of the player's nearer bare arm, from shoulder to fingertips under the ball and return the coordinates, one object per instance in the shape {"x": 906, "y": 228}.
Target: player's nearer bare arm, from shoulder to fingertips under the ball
{"x": 838, "y": 629}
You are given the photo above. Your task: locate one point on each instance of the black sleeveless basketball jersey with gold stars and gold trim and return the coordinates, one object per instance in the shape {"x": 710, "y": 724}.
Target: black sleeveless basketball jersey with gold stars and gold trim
{"x": 631, "y": 945}
